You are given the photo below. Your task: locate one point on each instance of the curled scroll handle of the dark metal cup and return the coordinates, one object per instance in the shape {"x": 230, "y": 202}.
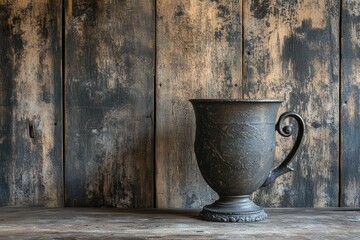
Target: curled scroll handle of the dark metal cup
{"x": 286, "y": 131}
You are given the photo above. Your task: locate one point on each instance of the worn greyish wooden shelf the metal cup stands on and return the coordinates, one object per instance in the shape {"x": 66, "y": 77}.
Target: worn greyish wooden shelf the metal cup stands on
{"x": 85, "y": 223}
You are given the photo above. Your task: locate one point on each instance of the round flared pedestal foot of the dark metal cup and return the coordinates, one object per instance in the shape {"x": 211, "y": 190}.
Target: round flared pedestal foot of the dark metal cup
{"x": 233, "y": 209}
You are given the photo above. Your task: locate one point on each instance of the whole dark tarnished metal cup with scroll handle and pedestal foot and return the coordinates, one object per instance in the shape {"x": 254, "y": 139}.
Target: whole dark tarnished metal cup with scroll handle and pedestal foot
{"x": 235, "y": 150}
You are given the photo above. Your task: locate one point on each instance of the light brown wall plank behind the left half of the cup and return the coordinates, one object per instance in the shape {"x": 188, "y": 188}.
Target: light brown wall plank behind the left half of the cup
{"x": 199, "y": 55}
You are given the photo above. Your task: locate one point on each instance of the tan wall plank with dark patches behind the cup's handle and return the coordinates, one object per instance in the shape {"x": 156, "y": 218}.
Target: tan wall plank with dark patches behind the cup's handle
{"x": 292, "y": 52}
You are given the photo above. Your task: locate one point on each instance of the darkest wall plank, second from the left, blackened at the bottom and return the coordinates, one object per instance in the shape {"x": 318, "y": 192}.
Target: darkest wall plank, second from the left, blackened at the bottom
{"x": 109, "y": 97}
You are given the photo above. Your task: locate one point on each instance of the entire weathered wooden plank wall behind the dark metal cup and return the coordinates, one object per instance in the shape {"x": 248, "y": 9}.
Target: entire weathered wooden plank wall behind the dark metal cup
{"x": 94, "y": 97}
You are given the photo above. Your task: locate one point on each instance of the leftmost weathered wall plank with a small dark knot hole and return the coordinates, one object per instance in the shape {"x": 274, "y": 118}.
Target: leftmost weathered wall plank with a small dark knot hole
{"x": 30, "y": 103}
